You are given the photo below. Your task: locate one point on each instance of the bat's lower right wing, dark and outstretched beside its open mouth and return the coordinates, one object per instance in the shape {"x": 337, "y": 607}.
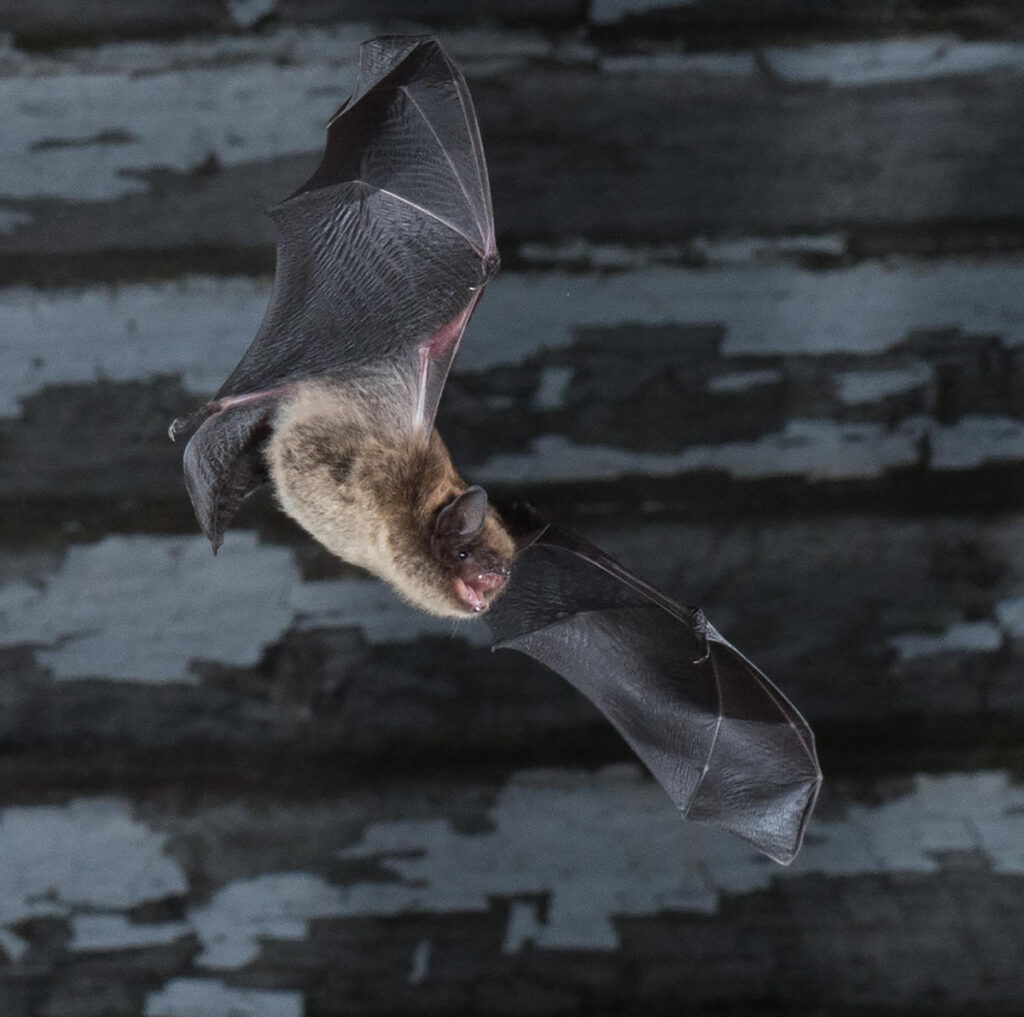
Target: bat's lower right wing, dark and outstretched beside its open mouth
{"x": 719, "y": 737}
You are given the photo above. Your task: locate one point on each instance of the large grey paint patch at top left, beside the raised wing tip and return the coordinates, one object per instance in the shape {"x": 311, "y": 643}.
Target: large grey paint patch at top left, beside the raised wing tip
{"x": 177, "y": 120}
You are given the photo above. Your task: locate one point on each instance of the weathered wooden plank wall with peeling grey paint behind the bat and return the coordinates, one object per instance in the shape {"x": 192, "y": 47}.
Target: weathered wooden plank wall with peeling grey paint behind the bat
{"x": 759, "y": 333}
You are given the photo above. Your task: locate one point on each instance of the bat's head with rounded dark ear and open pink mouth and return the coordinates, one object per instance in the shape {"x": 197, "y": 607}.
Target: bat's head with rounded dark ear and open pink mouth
{"x": 474, "y": 548}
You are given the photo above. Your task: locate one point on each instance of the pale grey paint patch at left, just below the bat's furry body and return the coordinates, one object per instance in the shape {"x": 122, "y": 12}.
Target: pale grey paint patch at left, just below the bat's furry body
{"x": 145, "y": 609}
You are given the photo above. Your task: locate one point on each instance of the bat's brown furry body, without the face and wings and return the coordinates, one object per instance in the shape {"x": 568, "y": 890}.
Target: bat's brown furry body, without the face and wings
{"x": 369, "y": 488}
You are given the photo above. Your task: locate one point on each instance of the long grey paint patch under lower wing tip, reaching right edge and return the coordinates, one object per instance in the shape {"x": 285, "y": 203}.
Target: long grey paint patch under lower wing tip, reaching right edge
{"x": 607, "y": 844}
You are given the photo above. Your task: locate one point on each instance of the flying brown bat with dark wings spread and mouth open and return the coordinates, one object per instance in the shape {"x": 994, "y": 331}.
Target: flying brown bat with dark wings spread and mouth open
{"x": 382, "y": 258}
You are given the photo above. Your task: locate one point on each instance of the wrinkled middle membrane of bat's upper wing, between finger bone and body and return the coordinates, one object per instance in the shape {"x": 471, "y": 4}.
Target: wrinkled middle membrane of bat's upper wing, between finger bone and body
{"x": 363, "y": 279}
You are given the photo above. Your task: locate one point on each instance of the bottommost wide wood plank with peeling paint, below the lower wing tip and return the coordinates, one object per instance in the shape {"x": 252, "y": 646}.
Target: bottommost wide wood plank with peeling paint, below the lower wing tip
{"x": 542, "y": 894}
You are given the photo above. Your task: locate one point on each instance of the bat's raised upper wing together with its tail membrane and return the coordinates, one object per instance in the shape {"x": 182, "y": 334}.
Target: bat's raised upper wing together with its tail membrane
{"x": 382, "y": 256}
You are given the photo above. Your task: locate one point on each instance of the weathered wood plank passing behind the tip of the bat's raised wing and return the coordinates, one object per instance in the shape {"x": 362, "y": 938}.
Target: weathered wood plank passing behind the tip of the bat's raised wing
{"x": 185, "y": 160}
